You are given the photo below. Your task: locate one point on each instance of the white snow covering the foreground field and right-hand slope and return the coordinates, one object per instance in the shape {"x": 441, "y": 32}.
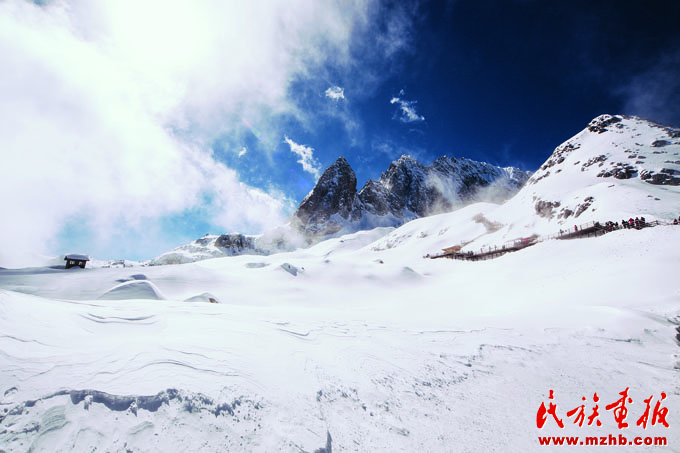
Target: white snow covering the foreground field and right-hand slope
{"x": 359, "y": 343}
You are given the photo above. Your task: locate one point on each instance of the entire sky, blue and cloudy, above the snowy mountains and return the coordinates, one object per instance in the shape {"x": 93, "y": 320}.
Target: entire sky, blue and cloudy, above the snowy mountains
{"x": 130, "y": 128}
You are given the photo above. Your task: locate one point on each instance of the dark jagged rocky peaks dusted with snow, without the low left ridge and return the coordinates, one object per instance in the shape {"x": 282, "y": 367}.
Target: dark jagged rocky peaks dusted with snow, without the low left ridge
{"x": 406, "y": 190}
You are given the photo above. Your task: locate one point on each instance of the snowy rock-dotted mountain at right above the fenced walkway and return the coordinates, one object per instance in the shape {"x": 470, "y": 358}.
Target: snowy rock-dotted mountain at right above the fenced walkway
{"x": 617, "y": 168}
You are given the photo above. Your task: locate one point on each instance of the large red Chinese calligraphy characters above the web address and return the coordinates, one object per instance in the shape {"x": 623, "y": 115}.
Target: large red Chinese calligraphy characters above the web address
{"x": 618, "y": 408}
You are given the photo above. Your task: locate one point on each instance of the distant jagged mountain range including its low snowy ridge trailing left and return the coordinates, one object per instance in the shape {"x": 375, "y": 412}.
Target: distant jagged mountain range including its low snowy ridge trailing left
{"x": 405, "y": 191}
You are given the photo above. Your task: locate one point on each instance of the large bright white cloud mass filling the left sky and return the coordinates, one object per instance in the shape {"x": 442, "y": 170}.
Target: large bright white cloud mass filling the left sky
{"x": 106, "y": 108}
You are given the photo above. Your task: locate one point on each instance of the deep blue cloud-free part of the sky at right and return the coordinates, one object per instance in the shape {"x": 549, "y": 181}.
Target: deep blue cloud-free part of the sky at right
{"x": 498, "y": 81}
